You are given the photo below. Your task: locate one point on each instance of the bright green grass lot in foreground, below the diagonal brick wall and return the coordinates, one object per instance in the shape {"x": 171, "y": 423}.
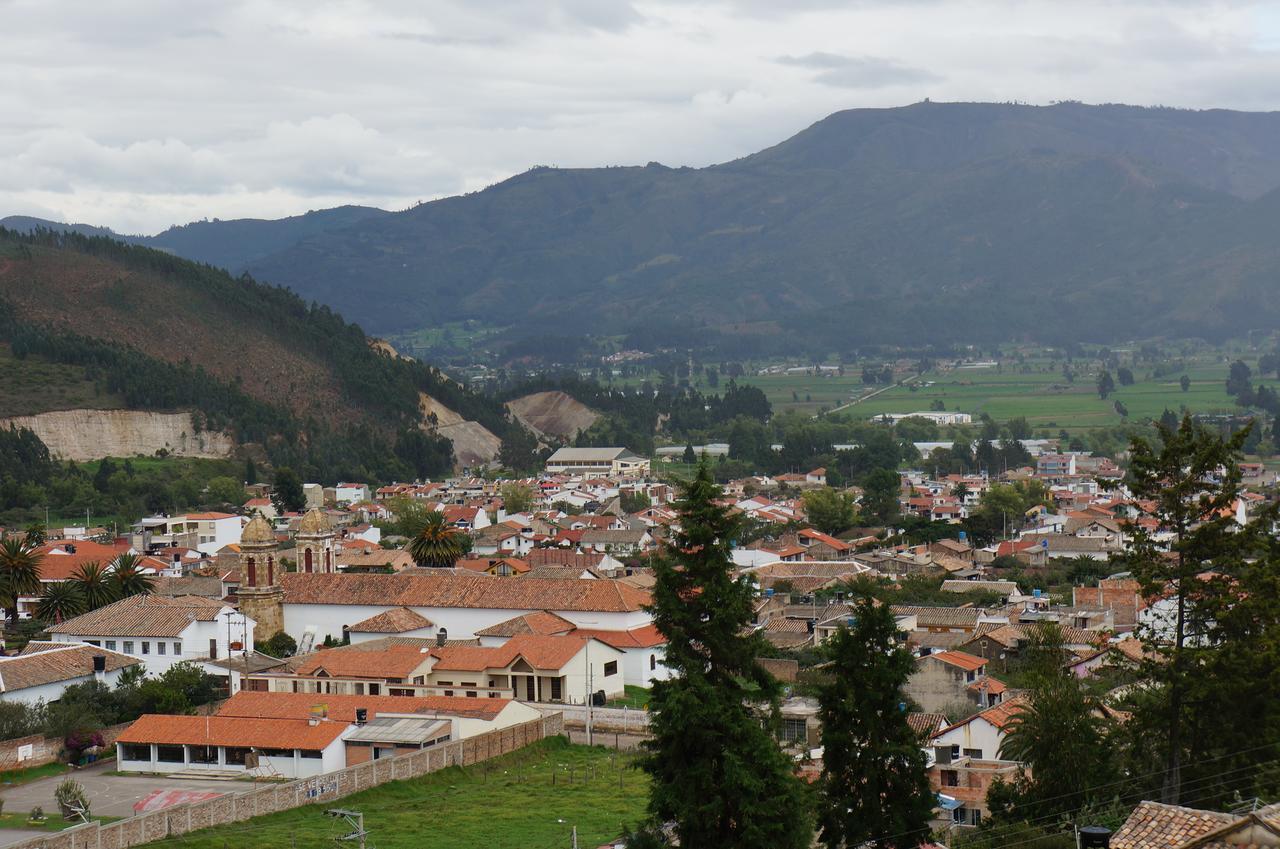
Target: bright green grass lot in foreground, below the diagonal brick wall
{"x": 510, "y": 804}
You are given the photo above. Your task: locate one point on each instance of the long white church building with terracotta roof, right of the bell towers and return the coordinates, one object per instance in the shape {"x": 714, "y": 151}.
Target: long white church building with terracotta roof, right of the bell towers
{"x": 458, "y": 605}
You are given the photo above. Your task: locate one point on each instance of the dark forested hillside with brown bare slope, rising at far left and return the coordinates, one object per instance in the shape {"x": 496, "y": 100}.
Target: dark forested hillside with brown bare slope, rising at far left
{"x": 163, "y": 334}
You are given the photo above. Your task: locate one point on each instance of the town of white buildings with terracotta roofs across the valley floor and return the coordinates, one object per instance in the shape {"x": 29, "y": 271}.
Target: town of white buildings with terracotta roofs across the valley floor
{"x": 547, "y": 611}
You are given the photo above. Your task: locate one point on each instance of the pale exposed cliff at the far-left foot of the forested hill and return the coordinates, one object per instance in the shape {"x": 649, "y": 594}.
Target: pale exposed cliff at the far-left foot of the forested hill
{"x": 92, "y": 435}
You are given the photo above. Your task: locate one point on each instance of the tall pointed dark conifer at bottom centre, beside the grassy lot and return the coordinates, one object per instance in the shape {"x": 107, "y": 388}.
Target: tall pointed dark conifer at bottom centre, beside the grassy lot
{"x": 717, "y": 770}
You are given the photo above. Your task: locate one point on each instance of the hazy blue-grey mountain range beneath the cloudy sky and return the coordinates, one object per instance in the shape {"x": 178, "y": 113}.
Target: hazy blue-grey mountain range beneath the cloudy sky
{"x": 926, "y": 223}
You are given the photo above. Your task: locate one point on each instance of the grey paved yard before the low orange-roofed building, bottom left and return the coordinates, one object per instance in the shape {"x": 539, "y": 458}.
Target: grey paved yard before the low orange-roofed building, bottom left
{"x": 109, "y": 795}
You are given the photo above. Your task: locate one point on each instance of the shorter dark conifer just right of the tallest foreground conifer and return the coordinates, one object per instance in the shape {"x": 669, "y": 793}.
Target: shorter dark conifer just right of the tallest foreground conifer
{"x": 875, "y": 791}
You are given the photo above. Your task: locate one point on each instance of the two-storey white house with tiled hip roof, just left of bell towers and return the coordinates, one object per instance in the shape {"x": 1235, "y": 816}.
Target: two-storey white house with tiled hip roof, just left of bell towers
{"x": 162, "y": 632}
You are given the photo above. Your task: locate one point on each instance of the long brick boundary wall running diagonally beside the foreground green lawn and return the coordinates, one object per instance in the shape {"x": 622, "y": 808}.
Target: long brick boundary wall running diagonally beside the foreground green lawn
{"x": 272, "y": 798}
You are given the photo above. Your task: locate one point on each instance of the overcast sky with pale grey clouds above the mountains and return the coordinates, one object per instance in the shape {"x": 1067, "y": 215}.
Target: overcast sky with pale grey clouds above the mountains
{"x": 140, "y": 115}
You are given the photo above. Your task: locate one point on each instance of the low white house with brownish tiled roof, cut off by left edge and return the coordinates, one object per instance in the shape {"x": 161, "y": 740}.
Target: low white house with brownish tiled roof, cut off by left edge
{"x": 43, "y": 670}
